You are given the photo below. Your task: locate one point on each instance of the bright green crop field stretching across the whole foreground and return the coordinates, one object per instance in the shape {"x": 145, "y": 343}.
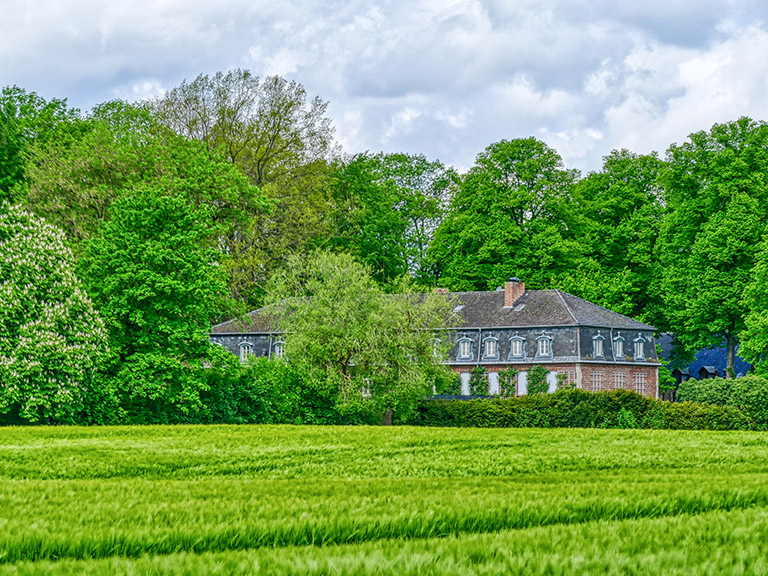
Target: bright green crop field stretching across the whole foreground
{"x": 396, "y": 500}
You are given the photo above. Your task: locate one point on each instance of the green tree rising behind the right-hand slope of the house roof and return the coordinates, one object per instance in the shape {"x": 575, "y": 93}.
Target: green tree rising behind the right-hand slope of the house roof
{"x": 616, "y": 214}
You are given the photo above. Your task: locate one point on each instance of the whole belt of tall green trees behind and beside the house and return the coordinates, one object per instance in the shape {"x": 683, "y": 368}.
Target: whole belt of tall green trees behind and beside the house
{"x": 128, "y": 230}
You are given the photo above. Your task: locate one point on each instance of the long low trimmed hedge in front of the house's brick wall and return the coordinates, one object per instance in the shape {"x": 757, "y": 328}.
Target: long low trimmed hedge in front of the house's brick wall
{"x": 580, "y": 409}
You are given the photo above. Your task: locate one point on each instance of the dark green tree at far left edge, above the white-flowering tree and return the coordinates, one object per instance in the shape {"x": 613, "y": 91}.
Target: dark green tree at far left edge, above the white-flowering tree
{"x": 25, "y": 118}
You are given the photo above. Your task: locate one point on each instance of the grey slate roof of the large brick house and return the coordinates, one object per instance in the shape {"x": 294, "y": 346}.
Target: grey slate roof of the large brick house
{"x": 535, "y": 308}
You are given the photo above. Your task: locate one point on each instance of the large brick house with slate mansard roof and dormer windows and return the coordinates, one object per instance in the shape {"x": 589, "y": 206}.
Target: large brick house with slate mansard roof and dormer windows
{"x": 590, "y": 347}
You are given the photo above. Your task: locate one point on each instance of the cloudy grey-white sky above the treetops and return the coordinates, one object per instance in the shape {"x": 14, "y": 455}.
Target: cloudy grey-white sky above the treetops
{"x": 439, "y": 78}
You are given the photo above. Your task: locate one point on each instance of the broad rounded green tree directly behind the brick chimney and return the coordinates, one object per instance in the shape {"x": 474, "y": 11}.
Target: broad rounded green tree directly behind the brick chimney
{"x": 508, "y": 218}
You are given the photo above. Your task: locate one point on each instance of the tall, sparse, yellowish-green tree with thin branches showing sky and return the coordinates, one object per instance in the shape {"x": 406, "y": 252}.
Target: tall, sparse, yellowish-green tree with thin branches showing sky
{"x": 282, "y": 142}
